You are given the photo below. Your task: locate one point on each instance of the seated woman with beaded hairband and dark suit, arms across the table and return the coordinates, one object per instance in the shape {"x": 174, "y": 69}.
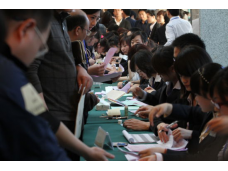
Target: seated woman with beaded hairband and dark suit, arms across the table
{"x": 207, "y": 143}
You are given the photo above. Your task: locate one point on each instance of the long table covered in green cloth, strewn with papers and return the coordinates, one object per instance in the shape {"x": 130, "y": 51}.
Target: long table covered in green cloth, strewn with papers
{"x": 111, "y": 126}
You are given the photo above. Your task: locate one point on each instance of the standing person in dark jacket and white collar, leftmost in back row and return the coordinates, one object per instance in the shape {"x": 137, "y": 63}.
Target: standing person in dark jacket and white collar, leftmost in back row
{"x": 119, "y": 20}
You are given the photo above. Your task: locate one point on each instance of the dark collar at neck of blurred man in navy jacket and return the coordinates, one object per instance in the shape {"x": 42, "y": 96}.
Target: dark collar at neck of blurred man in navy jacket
{"x": 7, "y": 53}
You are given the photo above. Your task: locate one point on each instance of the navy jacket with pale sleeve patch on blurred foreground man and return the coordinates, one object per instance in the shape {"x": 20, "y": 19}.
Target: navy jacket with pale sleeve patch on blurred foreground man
{"x": 24, "y": 136}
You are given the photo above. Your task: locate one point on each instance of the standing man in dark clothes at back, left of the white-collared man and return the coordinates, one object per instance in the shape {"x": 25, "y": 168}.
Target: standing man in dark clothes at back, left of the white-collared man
{"x": 142, "y": 23}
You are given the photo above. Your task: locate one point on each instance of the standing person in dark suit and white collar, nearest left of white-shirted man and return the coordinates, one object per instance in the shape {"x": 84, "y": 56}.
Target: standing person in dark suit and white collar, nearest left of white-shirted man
{"x": 153, "y": 25}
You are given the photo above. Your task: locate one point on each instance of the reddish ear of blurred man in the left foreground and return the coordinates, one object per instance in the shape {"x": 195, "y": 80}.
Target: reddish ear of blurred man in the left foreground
{"x": 25, "y": 28}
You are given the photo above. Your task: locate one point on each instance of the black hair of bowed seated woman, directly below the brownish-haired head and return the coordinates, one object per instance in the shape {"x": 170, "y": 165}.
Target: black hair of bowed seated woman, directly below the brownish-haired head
{"x": 142, "y": 59}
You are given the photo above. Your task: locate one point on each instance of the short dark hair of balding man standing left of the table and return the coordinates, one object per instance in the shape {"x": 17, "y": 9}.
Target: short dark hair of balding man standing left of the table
{"x": 75, "y": 21}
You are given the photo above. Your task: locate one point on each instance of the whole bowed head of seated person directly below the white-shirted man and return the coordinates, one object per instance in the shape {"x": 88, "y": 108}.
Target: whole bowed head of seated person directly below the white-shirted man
{"x": 163, "y": 63}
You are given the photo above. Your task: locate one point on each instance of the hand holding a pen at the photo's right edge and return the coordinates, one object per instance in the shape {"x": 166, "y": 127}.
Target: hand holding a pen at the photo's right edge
{"x": 219, "y": 125}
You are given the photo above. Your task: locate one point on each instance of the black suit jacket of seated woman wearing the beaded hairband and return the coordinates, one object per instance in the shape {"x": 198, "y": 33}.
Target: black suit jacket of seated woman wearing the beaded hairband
{"x": 208, "y": 149}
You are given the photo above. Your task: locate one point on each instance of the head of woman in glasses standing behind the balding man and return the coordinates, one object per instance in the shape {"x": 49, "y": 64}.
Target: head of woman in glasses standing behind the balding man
{"x": 93, "y": 16}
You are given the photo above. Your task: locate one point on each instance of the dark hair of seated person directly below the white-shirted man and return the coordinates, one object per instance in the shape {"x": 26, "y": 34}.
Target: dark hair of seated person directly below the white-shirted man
{"x": 163, "y": 59}
